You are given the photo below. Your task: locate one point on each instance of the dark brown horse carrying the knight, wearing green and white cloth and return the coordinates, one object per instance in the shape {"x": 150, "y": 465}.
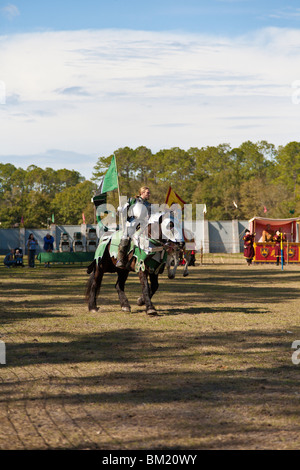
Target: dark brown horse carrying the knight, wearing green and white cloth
{"x": 148, "y": 272}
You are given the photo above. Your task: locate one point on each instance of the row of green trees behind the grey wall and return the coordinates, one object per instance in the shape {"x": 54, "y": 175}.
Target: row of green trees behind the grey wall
{"x": 254, "y": 179}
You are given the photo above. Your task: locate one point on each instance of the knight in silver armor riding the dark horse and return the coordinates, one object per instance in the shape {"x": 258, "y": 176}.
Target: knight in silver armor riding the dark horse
{"x": 138, "y": 212}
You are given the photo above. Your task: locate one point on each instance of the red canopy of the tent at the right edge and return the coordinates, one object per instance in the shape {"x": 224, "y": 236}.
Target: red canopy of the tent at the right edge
{"x": 287, "y": 226}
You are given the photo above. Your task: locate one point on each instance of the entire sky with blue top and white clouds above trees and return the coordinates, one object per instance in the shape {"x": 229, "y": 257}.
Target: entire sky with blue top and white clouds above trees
{"x": 80, "y": 79}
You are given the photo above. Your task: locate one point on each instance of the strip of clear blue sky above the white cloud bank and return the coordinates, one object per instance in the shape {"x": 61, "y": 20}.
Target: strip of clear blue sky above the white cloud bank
{"x": 211, "y": 16}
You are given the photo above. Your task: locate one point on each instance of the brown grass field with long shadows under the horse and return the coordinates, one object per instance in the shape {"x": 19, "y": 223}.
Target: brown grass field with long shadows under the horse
{"x": 212, "y": 371}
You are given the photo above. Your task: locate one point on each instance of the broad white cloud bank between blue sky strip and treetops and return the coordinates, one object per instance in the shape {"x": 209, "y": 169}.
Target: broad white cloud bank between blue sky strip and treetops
{"x": 91, "y": 92}
